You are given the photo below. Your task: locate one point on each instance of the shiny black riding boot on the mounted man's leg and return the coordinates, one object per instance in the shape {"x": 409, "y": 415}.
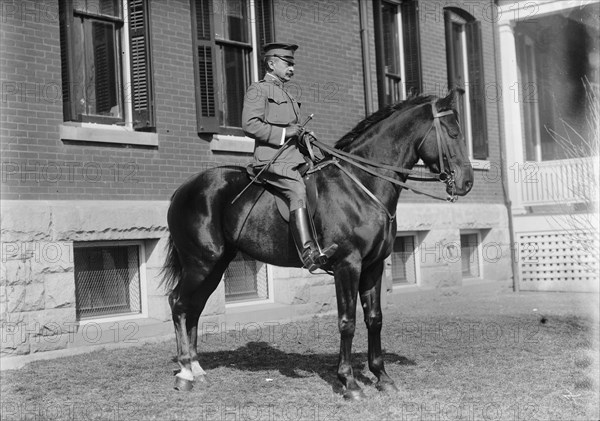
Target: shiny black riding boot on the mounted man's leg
{"x": 312, "y": 257}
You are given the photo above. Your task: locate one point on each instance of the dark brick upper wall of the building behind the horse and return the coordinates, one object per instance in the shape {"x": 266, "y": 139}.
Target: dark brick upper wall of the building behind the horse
{"x": 37, "y": 164}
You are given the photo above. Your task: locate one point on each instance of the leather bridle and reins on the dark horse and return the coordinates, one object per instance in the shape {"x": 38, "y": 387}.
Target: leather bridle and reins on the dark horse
{"x": 447, "y": 177}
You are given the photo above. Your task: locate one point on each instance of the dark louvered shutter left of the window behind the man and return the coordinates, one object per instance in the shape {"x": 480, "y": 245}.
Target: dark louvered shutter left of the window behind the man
{"x": 205, "y": 66}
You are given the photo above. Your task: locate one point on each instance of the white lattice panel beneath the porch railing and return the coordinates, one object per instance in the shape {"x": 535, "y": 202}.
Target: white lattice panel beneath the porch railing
{"x": 558, "y": 261}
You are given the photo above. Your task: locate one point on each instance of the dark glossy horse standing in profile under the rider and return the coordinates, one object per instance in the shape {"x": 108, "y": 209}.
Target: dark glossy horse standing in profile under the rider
{"x": 206, "y": 230}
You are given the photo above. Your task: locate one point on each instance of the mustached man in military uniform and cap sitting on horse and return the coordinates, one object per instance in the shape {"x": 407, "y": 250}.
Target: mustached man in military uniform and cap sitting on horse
{"x": 271, "y": 117}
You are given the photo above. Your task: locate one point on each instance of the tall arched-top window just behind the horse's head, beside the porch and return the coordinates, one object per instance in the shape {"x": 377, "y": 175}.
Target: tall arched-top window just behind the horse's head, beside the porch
{"x": 465, "y": 72}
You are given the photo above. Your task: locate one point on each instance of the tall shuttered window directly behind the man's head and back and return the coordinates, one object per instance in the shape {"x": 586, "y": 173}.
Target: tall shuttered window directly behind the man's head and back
{"x": 228, "y": 38}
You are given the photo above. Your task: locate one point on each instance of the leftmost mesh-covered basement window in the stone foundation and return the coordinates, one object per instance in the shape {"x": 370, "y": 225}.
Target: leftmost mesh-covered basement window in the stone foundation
{"x": 107, "y": 280}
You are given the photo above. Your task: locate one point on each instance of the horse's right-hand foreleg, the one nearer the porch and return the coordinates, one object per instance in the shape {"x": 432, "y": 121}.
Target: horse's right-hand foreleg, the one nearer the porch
{"x": 370, "y": 297}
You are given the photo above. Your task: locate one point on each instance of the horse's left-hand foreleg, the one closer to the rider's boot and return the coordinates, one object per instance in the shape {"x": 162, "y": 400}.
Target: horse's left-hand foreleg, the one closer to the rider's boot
{"x": 346, "y": 286}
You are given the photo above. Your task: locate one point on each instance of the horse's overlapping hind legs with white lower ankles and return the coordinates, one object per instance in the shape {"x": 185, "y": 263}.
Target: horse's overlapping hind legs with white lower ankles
{"x": 187, "y": 303}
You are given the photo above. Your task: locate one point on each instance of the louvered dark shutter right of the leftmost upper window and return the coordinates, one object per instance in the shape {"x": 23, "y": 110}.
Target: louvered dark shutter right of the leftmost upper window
{"x": 142, "y": 98}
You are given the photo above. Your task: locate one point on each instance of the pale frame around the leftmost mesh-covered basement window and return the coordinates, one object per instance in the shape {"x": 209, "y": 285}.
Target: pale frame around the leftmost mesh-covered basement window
{"x": 142, "y": 277}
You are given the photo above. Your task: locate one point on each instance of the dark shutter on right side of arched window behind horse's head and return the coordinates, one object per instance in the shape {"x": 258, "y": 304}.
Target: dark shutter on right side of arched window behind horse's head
{"x": 476, "y": 90}
